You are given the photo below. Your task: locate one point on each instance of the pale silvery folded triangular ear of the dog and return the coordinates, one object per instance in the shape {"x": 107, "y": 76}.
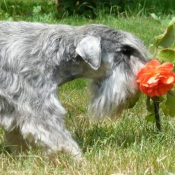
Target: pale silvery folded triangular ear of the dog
{"x": 89, "y": 48}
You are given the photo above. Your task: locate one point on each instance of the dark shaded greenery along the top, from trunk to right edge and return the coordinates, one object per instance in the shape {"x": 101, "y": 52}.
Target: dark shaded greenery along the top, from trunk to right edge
{"x": 89, "y": 8}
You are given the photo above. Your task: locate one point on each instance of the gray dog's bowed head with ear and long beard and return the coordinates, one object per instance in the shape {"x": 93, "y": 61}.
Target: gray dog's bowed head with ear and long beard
{"x": 115, "y": 58}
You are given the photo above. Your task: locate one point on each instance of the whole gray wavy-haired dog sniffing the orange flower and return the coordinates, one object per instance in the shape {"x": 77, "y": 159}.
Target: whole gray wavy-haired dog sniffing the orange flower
{"x": 37, "y": 58}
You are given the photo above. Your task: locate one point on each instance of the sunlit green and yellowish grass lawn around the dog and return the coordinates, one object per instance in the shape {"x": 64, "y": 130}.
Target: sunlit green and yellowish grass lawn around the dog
{"x": 128, "y": 146}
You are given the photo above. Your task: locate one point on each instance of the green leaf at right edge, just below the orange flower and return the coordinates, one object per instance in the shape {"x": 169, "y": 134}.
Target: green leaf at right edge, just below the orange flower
{"x": 170, "y": 104}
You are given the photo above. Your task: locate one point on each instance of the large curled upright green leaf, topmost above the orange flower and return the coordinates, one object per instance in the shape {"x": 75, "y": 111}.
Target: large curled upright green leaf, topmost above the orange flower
{"x": 166, "y": 39}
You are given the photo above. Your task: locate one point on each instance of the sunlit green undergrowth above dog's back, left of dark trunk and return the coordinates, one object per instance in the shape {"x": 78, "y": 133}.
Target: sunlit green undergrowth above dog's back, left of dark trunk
{"x": 29, "y": 10}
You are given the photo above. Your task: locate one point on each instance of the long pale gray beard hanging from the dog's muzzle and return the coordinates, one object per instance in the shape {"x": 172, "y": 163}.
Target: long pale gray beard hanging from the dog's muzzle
{"x": 112, "y": 94}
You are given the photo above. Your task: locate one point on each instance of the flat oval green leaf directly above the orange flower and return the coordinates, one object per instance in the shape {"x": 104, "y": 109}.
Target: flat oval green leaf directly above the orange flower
{"x": 166, "y": 55}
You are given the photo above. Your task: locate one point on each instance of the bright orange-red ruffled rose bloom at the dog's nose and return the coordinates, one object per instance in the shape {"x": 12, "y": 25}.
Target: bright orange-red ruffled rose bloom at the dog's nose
{"x": 155, "y": 79}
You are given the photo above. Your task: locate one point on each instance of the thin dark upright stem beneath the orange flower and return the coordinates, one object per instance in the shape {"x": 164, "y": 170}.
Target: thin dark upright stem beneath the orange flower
{"x": 156, "y": 110}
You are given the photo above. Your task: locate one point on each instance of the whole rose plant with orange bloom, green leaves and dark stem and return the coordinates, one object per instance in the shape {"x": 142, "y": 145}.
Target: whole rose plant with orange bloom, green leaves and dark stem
{"x": 164, "y": 53}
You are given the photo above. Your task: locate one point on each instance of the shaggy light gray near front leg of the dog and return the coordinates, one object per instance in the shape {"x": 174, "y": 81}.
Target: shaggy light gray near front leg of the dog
{"x": 46, "y": 129}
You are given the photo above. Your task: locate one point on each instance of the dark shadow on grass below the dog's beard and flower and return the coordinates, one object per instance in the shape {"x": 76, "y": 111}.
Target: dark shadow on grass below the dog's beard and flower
{"x": 122, "y": 134}
